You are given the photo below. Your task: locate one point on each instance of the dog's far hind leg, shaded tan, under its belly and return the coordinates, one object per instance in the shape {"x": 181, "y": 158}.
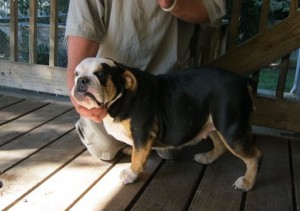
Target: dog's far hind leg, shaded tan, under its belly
{"x": 215, "y": 153}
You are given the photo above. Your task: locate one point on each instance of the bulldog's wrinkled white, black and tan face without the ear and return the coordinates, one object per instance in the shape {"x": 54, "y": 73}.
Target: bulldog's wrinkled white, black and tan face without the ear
{"x": 93, "y": 85}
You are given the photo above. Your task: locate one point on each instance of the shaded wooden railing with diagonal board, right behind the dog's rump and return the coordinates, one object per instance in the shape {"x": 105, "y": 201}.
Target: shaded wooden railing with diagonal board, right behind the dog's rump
{"x": 258, "y": 52}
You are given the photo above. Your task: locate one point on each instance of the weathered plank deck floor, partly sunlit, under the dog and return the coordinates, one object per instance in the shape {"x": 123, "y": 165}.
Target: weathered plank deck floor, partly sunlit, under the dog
{"x": 44, "y": 166}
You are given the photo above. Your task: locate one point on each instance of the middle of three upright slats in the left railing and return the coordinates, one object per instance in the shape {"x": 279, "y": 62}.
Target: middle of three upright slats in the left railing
{"x": 33, "y": 31}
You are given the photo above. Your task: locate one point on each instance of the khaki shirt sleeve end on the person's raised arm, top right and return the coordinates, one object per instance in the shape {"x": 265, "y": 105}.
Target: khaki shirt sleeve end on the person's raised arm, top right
{"x": 215, "y": 8}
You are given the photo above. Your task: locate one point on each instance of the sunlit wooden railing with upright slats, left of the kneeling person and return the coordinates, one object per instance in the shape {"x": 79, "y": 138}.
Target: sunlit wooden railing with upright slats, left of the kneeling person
{"x": 31, "y": 76}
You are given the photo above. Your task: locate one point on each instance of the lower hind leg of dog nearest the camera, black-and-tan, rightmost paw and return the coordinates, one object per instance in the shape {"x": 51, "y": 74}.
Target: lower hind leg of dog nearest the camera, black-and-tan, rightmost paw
{"x": 251, "y": 156}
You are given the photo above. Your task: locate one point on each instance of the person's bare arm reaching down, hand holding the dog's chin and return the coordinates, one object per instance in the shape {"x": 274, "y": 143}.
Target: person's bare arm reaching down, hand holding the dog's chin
{"x": 78, "y": 49}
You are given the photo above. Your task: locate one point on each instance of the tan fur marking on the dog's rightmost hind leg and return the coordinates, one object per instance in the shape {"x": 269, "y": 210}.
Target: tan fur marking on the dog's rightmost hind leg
{"x": 251, "y": 159}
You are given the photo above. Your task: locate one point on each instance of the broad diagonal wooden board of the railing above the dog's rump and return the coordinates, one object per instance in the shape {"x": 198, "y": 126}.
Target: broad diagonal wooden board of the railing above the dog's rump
{"x": 264, "y": 48}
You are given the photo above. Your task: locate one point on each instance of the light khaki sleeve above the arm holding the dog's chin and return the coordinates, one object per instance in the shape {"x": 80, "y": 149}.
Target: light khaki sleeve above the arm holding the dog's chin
{"x": 86, "y": 18}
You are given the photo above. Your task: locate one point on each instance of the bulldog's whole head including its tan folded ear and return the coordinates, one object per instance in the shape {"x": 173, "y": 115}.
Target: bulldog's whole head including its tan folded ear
{"x": 100, "y": 81}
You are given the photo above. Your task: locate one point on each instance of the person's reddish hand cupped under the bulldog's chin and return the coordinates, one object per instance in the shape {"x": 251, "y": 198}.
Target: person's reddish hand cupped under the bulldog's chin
{"x": 94, "y": 114}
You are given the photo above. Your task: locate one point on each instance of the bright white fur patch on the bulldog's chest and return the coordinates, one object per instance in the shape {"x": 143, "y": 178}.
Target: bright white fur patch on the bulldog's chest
{"x": 117, "y": 130}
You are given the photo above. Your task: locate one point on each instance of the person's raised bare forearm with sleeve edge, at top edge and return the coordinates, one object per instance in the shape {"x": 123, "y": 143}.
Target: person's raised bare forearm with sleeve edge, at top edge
{"x": 194, "y": 11}
